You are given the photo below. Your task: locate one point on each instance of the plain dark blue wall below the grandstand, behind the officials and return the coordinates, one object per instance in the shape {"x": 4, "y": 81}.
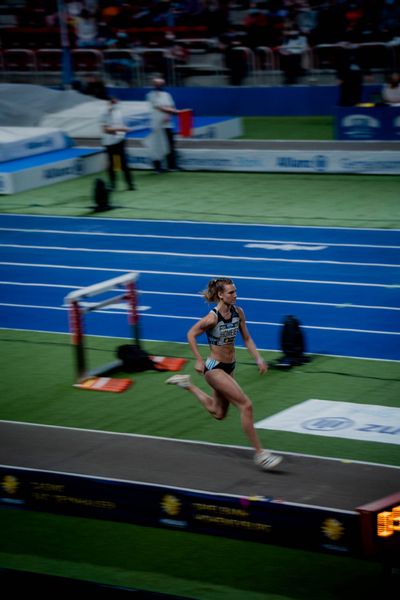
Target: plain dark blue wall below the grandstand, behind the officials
{"x": 253, "y": 101}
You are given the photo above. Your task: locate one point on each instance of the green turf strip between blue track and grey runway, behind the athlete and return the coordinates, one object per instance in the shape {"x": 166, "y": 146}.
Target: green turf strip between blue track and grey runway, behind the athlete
{"x": 41, "y": 391}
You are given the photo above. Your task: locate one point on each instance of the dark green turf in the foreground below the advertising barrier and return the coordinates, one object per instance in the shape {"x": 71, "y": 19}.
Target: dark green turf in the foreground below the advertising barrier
{"x": 194, "y": 566}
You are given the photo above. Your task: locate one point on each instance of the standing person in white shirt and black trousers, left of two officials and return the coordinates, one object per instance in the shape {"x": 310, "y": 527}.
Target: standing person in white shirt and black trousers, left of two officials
{"x": 114, "y": 132}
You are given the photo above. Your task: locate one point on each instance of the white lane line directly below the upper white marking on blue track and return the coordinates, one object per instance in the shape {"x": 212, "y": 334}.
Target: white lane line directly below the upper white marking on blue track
{"x": 190, "y": 255}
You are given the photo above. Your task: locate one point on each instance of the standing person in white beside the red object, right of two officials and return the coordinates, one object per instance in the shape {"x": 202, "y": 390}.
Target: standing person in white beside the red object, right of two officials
{"x": 161, "y": 142}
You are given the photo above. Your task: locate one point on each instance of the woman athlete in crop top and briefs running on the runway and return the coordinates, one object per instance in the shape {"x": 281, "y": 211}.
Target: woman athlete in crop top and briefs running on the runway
{"x": 221, "y": 326}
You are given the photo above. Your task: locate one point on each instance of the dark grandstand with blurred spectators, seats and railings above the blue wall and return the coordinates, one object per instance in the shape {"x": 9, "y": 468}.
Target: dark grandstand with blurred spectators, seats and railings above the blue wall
{"x": 129, "y": 42}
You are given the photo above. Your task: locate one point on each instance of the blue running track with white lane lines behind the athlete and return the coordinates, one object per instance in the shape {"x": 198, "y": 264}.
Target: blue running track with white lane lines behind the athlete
{"x": 343, "y": 284}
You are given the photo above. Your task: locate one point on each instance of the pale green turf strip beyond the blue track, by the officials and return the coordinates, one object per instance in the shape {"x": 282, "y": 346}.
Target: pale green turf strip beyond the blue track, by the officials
{"x": 287, "y": 199}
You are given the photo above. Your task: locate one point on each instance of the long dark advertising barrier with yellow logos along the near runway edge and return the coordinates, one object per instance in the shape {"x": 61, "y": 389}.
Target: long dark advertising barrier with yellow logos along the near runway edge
{"x": 258, "y": 519}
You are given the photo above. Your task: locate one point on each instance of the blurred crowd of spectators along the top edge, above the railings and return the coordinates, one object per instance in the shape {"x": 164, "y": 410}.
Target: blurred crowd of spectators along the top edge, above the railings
{"x": 95, "y": 23}
